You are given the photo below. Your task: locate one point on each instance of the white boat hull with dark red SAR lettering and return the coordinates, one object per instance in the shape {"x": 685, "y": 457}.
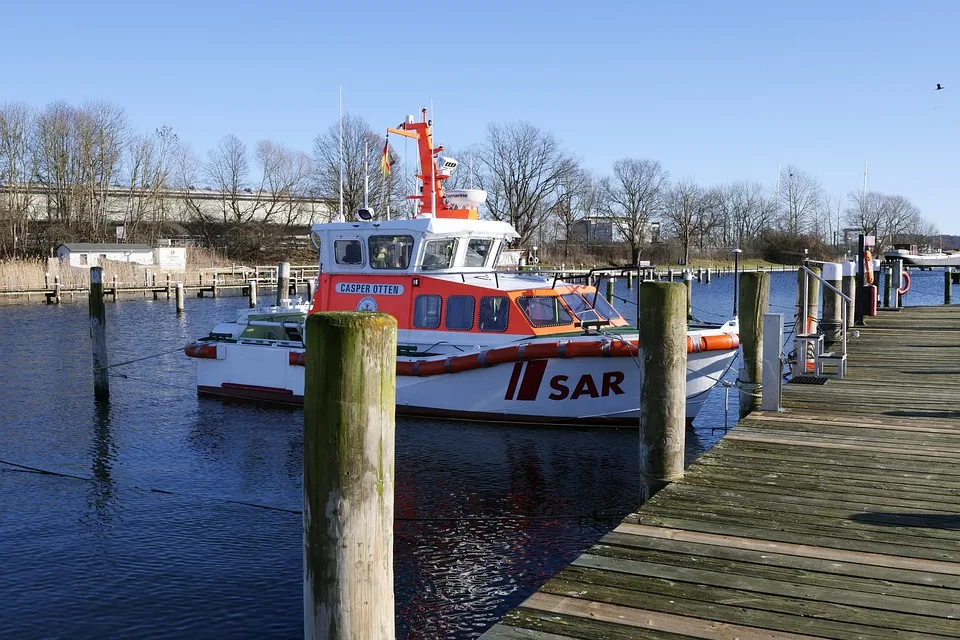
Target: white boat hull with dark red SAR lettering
{"x": 565, "y": 391}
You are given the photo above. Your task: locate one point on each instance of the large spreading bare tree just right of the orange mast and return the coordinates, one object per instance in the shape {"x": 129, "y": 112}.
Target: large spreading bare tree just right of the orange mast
{"x": 523, "y": 171}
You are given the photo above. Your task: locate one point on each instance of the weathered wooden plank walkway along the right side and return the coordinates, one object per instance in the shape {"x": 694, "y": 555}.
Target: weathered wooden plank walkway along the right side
{"x": 839, "y": 518}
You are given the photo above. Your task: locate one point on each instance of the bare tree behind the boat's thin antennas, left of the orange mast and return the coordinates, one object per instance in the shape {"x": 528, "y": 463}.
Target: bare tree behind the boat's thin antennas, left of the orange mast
{"x": 362, "y": 148}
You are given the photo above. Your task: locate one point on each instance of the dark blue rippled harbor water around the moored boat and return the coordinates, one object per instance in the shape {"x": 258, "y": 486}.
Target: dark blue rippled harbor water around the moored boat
{"x": 165, "y": 515}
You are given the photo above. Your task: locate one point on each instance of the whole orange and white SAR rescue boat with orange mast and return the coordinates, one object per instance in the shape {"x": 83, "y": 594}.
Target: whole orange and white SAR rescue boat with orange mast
{"x": 473, "y": 342}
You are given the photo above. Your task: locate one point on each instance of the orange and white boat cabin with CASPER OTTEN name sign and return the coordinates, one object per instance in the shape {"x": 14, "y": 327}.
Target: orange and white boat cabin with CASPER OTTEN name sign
{"x": 439, "y": 274}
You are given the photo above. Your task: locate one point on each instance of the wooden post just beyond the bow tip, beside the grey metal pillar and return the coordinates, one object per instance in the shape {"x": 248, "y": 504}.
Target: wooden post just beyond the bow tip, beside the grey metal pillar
{"x": 753, "y": 305}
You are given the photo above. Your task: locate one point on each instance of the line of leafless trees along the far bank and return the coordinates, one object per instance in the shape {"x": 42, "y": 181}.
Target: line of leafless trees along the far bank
{"x": 75, "y": 172}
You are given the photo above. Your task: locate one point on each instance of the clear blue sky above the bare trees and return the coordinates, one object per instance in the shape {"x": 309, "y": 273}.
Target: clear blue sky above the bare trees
{"x": 715, "y": 91}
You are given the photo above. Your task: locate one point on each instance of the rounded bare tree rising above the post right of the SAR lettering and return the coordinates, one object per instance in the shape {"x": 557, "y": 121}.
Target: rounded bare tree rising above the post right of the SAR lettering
{"x": 631, "y": 197}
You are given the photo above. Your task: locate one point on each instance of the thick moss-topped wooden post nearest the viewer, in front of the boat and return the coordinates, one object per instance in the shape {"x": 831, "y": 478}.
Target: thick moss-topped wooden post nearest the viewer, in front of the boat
{"x": 348, "y": 471}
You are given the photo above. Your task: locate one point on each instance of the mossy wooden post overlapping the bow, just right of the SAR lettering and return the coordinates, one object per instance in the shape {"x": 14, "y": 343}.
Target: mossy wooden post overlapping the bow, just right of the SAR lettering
{"x": 662, "y": 333}
